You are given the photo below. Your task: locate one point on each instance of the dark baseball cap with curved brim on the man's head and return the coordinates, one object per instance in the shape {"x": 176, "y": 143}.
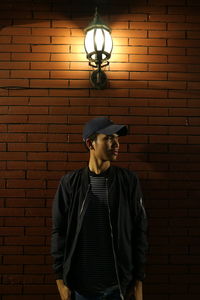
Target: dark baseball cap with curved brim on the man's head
{"x": 103, "y": 125}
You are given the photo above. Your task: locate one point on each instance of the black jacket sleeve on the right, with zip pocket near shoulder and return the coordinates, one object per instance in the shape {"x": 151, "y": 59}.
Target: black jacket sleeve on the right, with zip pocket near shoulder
{"x": 139, "y": 241}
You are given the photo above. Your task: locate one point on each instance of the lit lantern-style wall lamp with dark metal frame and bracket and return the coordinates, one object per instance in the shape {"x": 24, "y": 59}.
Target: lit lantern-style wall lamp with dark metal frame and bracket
{"x": 98, "y": 46}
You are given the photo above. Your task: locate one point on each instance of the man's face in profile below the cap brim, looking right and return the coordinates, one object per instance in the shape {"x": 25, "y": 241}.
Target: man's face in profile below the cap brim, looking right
{"x": 106, "y": 147}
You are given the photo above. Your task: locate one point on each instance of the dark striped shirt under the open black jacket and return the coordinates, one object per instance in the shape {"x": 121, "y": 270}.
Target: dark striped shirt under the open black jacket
{"x": 93, "y": 267}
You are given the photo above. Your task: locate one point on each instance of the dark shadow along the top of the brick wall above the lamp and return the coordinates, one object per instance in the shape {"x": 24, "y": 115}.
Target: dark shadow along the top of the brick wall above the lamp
{"x": 79, "y": 11}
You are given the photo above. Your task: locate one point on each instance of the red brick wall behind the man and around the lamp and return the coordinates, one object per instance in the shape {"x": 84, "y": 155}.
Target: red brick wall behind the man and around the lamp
{"x": 46, "y": 98}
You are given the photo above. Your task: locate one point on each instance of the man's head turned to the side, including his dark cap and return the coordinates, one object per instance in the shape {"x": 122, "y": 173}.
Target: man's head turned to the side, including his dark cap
{"x": 101, "y": 138}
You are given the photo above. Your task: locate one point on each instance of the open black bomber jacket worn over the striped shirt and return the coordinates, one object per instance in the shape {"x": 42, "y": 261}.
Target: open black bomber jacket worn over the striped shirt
{"x": 129, "y": 230}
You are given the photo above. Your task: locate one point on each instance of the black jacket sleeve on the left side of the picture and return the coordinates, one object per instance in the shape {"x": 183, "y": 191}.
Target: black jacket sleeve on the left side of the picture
{"x": 59, "y": 227}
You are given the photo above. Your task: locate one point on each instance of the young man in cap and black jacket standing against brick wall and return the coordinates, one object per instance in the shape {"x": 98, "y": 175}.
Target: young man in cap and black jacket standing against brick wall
{"x": 99, "y": 223}
